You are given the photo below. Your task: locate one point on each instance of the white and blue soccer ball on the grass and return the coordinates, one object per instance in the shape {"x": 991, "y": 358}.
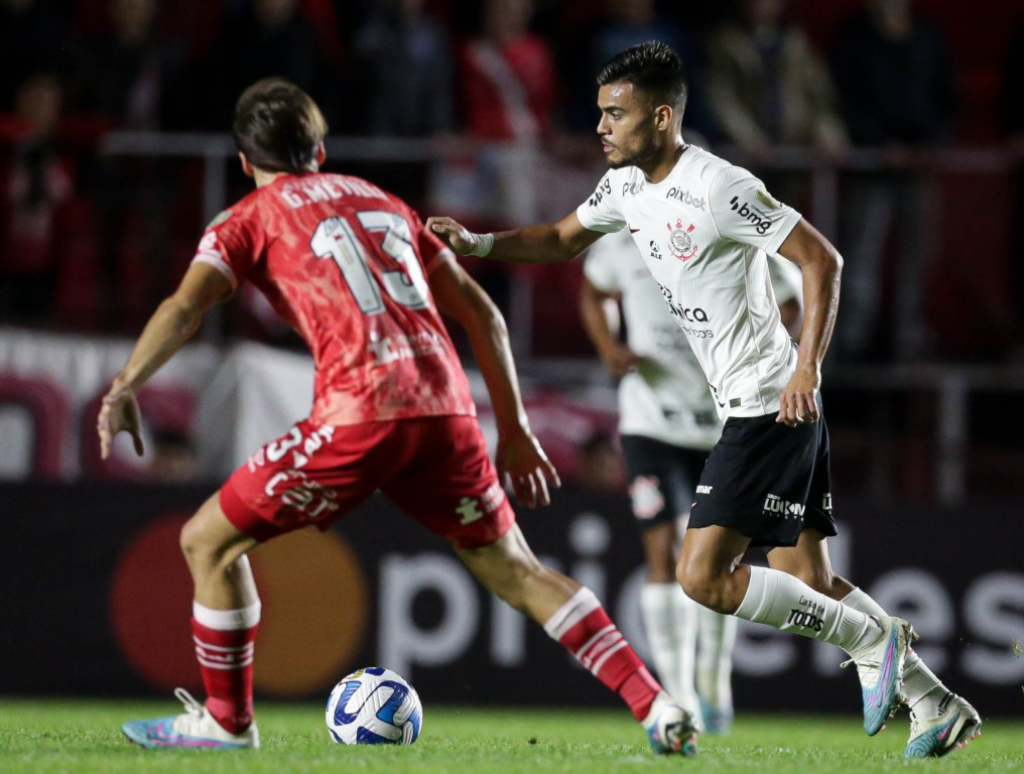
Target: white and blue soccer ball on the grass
{"x": 374, "y": 706}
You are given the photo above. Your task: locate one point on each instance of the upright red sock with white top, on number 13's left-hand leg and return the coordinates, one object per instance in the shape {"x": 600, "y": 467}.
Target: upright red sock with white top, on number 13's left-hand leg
{"x": 226, "y": 660}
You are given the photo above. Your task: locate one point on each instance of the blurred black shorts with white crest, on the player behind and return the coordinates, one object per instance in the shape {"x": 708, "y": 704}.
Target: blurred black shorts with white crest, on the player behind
{"x": 662, "y": 479}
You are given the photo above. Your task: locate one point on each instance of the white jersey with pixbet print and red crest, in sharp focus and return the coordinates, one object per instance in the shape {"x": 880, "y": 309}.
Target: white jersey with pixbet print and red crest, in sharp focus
{"x": 705, "y": 234}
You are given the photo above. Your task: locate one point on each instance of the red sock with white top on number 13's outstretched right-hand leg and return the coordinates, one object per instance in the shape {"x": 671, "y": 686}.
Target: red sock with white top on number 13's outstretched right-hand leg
{"x": 585, "y": 630}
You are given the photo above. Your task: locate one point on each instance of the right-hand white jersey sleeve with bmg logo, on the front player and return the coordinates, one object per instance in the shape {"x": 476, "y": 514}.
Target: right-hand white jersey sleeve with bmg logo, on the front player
{"x": 745, "y": 211}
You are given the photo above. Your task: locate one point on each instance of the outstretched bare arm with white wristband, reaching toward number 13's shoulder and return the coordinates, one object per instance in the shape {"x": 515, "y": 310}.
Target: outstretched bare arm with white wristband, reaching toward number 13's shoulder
{"x": 549, "y": 243}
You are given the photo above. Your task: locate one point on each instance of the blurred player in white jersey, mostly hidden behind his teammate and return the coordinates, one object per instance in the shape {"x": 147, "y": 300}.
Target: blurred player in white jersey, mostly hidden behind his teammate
{"x": 668, "y": 424}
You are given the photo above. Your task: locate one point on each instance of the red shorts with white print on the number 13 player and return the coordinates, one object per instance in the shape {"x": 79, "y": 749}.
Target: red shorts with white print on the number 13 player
{"x": 437, "y": 469}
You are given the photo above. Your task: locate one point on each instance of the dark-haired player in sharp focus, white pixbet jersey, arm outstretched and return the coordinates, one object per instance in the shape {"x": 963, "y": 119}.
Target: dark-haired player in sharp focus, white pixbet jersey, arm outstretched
{"x": 705, "y": 229}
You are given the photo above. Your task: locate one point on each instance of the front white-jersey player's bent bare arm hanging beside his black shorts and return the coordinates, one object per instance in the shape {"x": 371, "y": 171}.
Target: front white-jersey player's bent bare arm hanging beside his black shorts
{"x": 822, "y": 267}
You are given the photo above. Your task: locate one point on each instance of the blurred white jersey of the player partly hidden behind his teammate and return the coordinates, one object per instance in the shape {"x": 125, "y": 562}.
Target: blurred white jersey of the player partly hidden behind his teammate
{"x": 667, "y": 398}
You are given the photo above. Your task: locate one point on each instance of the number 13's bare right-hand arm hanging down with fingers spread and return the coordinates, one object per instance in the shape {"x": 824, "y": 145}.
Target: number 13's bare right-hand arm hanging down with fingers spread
{"x": 520, "y": 457}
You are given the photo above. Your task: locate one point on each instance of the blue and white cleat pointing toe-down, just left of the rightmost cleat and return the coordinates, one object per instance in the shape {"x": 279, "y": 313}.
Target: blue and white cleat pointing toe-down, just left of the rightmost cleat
{"x": 880, "y": 668}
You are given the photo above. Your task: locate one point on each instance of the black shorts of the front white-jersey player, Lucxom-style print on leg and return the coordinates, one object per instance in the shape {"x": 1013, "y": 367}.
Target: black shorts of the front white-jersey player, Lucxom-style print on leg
{"x": 767, "y": 482}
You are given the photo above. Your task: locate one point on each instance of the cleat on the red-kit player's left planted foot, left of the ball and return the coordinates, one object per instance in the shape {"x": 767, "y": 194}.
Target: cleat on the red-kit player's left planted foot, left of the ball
{"x": 194, "y": 729}
